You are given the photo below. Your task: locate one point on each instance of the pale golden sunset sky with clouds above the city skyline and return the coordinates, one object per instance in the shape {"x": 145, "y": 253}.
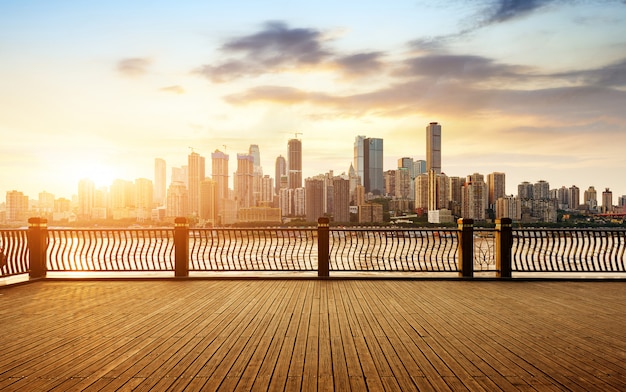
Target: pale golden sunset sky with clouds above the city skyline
{"x": 535, "y": 89}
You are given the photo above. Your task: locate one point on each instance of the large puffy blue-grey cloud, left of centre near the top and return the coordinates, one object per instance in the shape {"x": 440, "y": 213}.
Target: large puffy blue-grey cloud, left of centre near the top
{"x": 275, "y": 48}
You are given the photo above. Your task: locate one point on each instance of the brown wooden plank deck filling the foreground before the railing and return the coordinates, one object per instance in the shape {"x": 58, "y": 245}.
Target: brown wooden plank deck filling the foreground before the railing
{"x": 313, "y": 335}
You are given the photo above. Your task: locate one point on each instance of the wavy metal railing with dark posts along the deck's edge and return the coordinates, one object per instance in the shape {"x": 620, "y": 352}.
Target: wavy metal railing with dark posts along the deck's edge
{"x": 462, "y": 251}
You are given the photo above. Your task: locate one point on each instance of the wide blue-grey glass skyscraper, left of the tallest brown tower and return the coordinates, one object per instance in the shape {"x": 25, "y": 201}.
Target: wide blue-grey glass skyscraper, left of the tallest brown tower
{"x": 368, "y": 160}
